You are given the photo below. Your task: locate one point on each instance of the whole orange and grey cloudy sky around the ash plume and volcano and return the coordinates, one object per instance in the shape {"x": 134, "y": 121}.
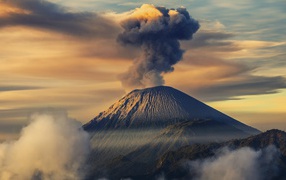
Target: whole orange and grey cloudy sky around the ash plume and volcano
{"x": 64, "y": 55}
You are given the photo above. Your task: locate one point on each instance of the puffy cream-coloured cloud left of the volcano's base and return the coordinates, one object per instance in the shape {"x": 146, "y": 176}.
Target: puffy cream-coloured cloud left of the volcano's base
{"x": 51, "y": 147}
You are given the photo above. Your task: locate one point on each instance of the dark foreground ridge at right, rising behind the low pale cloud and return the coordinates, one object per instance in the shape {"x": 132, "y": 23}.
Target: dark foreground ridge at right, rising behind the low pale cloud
{"x": 172, "y": 163}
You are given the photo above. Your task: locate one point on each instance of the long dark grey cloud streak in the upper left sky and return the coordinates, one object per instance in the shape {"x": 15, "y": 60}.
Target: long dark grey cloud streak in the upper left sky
{"x": 50, "y": 16}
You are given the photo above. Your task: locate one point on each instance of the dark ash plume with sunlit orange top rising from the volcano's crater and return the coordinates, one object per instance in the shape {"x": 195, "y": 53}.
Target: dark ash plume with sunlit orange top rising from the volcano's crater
{"x": 157, "y": 31}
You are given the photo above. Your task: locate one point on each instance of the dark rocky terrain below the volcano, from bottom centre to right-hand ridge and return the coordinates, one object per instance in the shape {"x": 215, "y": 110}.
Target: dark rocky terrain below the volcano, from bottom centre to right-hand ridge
{"x": 149, "y": 161}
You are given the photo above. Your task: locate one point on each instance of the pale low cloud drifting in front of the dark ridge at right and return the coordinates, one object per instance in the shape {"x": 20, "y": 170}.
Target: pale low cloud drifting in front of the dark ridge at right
{"x": 241, "y": 164}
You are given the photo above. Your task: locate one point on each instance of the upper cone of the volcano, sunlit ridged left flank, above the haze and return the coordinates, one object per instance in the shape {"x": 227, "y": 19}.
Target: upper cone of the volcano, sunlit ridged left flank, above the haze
{"x": 158, "y": 107}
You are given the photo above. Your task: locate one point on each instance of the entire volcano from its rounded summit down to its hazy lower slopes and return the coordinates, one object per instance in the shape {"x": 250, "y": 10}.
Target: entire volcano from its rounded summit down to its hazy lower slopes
{"x": 147, "y": 123}
